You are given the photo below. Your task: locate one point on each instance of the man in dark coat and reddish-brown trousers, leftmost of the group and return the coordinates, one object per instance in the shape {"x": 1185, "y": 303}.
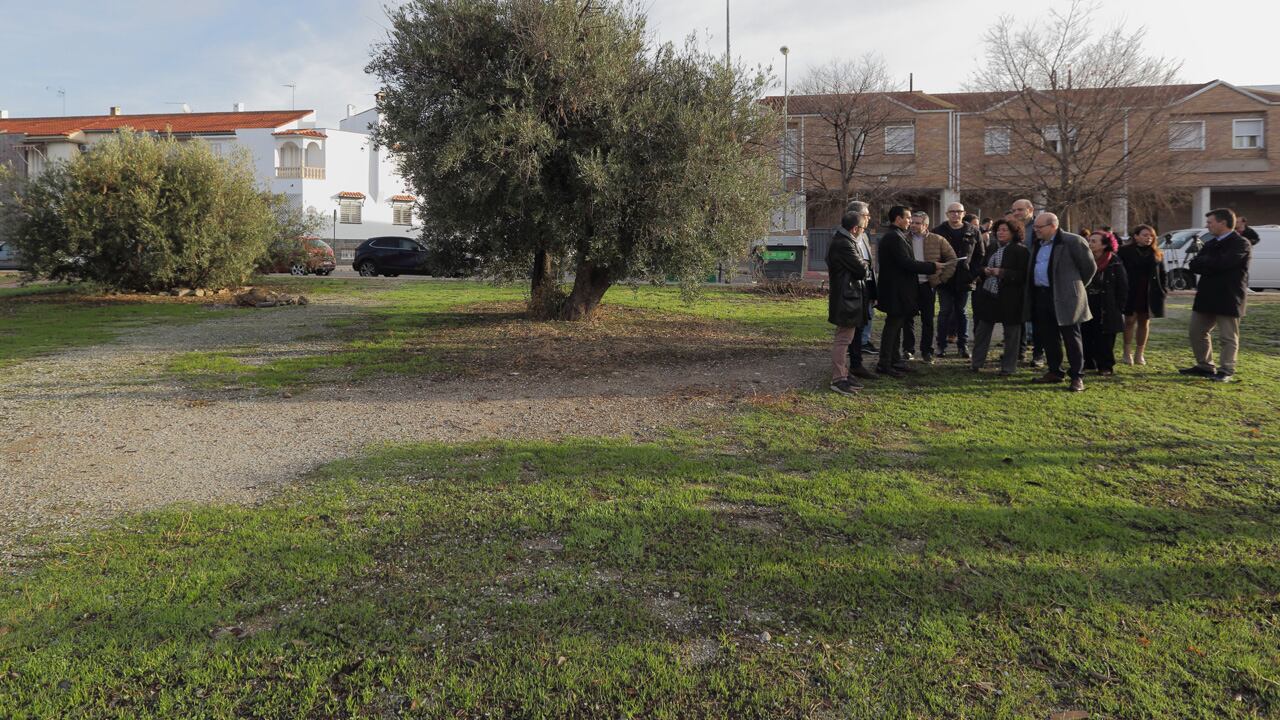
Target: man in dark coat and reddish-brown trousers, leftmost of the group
{"x": 847, "y": 300}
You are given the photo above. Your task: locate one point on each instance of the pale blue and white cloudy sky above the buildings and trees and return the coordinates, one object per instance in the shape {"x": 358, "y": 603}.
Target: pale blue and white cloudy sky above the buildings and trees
{"x": 153, "y": 56}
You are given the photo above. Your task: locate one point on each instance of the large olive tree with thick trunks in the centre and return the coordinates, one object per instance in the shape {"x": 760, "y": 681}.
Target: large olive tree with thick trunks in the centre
{"x": 552, "y": 131}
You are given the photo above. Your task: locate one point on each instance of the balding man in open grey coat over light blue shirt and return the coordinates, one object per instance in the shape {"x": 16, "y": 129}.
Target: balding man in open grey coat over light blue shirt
{"x": 1062, "y": 266}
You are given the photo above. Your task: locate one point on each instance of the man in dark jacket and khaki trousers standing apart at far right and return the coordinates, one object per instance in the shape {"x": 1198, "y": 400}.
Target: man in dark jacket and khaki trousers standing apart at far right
{"x": 1223, "y": 267}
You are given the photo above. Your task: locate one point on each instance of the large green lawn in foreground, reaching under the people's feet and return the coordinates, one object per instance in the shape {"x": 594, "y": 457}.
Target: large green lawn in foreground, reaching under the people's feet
{"x": 954, "y": 546}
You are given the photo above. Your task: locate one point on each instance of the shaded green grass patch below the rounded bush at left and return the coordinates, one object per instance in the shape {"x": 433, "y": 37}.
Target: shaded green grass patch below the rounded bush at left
{"x": 43, "y": 320}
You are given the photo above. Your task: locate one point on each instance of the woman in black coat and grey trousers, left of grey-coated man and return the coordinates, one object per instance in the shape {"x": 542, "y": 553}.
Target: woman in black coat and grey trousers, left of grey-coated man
{"x": 999, "y": 297}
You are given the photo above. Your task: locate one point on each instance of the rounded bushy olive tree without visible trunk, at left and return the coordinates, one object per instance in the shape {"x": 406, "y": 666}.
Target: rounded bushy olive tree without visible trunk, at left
{"x": 139, "y": 212}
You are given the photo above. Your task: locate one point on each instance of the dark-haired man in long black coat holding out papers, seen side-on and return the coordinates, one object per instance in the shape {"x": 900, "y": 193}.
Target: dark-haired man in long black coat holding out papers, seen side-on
{"x": 897, "y": 289}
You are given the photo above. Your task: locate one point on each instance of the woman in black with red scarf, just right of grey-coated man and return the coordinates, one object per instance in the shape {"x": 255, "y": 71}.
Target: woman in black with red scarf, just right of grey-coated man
{"x": 1108, "y": 294}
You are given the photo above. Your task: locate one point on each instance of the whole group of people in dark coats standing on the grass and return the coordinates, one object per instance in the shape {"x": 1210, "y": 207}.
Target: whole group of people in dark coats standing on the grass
{"x": 1064, "y": 297}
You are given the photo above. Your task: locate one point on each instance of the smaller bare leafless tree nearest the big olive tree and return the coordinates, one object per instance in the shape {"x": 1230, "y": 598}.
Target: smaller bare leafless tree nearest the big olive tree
{"x": 849, "y": 107}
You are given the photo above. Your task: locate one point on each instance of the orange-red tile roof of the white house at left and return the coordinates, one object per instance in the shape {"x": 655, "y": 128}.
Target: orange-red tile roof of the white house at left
{"x": 171, "y": 122}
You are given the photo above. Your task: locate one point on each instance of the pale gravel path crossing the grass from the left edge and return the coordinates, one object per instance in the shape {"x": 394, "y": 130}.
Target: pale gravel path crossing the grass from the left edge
{"x": 98, "y": 432}
